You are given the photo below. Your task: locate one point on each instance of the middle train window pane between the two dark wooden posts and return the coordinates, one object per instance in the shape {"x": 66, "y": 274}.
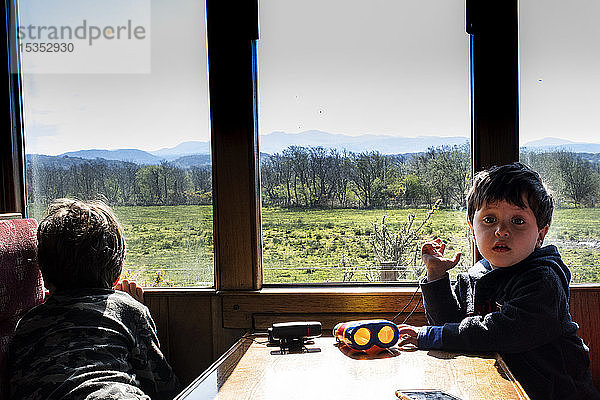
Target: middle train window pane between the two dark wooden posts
{"x": 364, "y": 127}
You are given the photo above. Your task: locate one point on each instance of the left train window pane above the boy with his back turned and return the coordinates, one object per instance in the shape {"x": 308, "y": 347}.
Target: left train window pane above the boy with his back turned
{"x": 115, "y": 103}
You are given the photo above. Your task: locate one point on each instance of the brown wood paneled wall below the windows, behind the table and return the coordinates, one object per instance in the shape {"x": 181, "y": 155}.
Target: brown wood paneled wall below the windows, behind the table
{"x": 197, "y": 326}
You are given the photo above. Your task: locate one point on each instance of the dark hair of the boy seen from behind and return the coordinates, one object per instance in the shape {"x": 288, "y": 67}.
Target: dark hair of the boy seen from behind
{"x": 80, "y": 244}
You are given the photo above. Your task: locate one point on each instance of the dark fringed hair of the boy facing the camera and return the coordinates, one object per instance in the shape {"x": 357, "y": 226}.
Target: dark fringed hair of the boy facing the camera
{"x": 511, "y": 183}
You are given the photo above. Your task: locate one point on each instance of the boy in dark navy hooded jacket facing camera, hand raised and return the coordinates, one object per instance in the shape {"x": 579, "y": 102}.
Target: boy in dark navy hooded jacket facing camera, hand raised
{"x": 516, "y": 299}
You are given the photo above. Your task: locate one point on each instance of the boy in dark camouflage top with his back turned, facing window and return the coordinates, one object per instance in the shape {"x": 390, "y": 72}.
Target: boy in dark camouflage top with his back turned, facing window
{"x": 86, "y": 341}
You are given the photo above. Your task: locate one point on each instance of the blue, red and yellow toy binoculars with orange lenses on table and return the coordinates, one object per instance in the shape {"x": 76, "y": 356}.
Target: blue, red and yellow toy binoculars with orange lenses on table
{"x": 370, "y": 336}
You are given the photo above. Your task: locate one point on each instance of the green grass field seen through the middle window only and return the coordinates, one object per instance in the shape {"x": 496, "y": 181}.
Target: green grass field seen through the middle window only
{"x": 320, "y": 245}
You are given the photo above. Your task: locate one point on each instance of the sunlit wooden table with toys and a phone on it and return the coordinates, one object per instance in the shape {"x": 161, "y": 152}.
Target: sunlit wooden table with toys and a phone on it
{"x": 249, "y": 370}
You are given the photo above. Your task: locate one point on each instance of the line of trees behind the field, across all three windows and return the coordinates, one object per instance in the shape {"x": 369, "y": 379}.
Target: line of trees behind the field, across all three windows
{"x": 310, "y": 177}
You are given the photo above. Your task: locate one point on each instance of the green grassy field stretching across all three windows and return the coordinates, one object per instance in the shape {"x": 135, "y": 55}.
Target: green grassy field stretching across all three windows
{"x": 172, "y": 245}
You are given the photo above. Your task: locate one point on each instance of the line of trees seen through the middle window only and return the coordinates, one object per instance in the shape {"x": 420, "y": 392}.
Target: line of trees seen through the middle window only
{"x": 317, "y": 177}
